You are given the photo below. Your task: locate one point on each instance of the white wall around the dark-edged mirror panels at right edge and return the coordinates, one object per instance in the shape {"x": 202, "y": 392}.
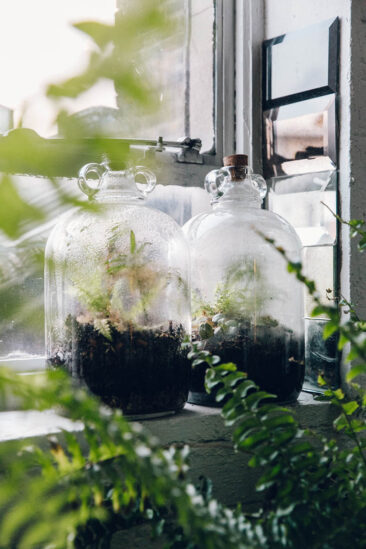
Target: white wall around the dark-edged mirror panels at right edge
{"x": 281, "y": 16}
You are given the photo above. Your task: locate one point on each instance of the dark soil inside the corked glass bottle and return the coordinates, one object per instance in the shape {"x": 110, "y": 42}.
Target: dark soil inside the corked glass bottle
{"x": 272, "y": 357}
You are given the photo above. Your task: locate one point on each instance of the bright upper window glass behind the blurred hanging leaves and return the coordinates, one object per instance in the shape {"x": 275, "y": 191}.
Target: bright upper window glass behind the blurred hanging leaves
{"x": 50, "y": 50}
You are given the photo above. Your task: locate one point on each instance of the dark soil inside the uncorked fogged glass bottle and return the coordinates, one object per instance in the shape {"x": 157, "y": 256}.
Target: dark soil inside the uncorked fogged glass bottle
{"x": 141, "y": 371}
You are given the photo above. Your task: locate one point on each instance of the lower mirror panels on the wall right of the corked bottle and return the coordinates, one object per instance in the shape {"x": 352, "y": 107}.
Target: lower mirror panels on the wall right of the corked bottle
{"x": 307, "y": 202}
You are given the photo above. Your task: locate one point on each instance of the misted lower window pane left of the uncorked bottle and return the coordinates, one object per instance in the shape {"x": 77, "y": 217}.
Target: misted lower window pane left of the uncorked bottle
{"x": 21, "y": 276}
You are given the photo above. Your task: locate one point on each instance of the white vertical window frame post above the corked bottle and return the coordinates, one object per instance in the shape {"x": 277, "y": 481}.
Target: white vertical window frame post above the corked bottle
{"x": 238, "y": 97}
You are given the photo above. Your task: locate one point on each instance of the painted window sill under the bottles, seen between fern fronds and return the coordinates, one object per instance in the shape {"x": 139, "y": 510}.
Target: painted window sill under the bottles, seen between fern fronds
{"x": 200, "y": 427}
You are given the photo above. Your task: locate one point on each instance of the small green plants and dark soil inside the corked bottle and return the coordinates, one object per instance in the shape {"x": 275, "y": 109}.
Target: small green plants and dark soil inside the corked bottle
{"x": 235, "y": 327}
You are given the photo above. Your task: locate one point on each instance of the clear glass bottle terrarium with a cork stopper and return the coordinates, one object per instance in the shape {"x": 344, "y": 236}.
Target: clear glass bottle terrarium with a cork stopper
{"x": 246, "y": 307}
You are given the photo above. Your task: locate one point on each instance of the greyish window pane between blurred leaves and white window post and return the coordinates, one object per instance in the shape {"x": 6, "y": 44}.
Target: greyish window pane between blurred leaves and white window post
{"x": 182, "y": 66}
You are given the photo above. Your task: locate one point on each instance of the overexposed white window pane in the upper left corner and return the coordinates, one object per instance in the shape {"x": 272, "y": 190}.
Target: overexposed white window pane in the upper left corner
{"x": 38, "y": 46}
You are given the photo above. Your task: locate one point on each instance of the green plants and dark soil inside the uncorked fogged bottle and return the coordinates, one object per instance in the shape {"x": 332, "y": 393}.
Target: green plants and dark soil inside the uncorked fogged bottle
{"x": 112, "y": 345}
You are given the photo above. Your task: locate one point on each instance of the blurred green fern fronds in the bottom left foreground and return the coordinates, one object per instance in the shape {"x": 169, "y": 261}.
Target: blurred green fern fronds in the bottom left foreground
{"x": 111, "y": 475}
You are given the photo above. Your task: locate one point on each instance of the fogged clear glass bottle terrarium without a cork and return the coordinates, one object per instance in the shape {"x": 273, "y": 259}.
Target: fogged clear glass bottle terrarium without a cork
{"x": 117, "y": 296}
